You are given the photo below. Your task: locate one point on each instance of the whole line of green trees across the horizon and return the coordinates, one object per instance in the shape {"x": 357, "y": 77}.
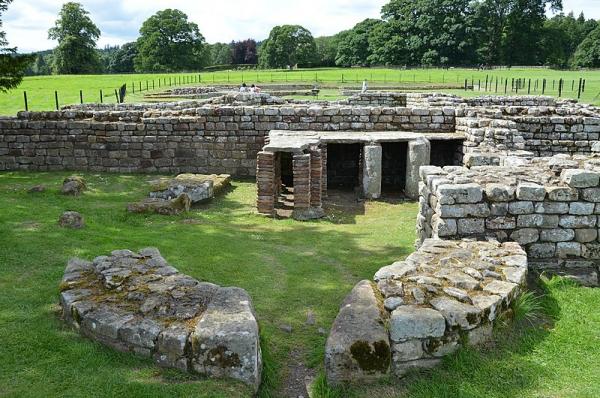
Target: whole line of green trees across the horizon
{"x": 439, "y": 33}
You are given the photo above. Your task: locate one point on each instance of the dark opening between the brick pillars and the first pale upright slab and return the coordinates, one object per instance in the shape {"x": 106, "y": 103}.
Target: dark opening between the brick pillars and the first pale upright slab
{"x": 344, "y": 162}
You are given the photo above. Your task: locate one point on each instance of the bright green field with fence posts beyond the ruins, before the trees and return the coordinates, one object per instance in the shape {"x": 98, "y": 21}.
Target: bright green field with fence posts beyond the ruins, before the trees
{"x": 41, "y": 90}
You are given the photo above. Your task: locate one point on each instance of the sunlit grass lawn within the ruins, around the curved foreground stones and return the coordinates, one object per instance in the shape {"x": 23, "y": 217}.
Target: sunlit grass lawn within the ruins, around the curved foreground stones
{"x": 289, "y": 268}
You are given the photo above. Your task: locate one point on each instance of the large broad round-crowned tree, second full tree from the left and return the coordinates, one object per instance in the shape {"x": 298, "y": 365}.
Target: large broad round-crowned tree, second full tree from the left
{"x": 168, "y": 42}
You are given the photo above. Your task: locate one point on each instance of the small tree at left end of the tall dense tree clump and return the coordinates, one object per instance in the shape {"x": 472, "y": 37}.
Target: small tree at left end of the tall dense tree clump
{"x": 353, "y": 47}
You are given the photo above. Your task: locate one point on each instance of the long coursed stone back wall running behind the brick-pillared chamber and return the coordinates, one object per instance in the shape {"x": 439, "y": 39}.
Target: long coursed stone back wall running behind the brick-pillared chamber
{"x": 175, "y": 139}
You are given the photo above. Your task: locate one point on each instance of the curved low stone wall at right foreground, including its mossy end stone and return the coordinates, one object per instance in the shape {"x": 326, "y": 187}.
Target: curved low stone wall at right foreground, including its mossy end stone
{"x": 445, "y": 295}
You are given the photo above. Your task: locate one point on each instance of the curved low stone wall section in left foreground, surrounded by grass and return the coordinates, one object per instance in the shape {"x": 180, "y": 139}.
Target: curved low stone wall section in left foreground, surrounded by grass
{"x": 137, "y": 302}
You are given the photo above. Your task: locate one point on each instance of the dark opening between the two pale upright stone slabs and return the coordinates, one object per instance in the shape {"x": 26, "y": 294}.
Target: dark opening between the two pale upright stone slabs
{"x": 393, "y": 165}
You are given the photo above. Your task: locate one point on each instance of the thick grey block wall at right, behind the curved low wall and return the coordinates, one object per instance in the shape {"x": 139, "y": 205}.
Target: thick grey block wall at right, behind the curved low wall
{"x": 549, "y": 206}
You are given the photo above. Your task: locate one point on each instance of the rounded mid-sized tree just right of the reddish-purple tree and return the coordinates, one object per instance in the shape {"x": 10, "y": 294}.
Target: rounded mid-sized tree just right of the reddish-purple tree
{"x": 288, "y": 45}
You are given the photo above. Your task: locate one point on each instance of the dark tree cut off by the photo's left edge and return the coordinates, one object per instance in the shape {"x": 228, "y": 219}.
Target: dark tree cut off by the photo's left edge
{"x": 12, "y": 66}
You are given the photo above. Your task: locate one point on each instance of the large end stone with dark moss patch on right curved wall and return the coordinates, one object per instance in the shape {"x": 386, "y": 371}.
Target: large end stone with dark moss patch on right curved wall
{"x": 358, "y": 348}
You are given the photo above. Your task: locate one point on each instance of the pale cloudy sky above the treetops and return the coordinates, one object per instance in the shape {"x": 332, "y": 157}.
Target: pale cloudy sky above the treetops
{"x": 27, "y": 21}
